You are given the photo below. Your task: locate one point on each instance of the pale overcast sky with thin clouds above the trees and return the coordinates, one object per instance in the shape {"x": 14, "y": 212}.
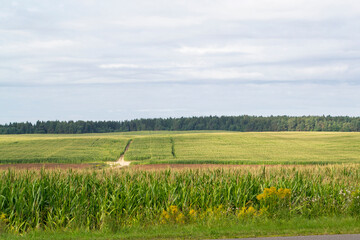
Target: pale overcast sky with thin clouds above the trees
{"x": 119, "y": 60}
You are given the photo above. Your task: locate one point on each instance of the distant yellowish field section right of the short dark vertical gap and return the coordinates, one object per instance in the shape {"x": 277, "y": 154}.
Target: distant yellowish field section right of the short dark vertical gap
{"x": 270, "y": 147}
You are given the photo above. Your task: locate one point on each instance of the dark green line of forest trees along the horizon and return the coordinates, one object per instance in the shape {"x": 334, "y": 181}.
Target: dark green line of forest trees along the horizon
{"x": 243, "y": 123}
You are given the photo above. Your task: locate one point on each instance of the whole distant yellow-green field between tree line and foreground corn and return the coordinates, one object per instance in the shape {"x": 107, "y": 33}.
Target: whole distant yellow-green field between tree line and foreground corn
{"x": 185, "y": 147}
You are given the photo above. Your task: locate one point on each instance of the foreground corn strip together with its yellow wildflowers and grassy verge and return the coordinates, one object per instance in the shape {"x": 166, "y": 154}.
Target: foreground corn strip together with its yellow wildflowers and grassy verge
{"x": 207, "y": 203}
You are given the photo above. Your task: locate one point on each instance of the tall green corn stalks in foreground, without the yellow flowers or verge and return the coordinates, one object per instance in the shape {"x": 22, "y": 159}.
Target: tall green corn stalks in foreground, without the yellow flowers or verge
{"x": 96, "y": 200}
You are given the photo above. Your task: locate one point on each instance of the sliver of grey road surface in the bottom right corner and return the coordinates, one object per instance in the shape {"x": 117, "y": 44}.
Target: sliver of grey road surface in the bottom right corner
{"x": 318, "y": 237}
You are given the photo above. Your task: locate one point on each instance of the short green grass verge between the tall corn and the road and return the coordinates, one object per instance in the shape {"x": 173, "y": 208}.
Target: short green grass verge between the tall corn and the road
{"x": 221, "y": 229}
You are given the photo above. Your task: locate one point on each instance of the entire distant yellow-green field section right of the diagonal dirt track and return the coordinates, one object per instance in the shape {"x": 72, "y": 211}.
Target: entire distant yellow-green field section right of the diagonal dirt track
{"x": 248, "y": 148}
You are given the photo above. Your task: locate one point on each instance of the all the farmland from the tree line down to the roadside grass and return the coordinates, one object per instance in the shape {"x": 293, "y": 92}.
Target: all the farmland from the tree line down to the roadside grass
{"x": 289, "y": 183}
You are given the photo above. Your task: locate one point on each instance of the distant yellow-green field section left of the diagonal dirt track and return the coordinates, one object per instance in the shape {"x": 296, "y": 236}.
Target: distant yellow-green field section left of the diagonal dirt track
{"x": 60, "y": 148}
